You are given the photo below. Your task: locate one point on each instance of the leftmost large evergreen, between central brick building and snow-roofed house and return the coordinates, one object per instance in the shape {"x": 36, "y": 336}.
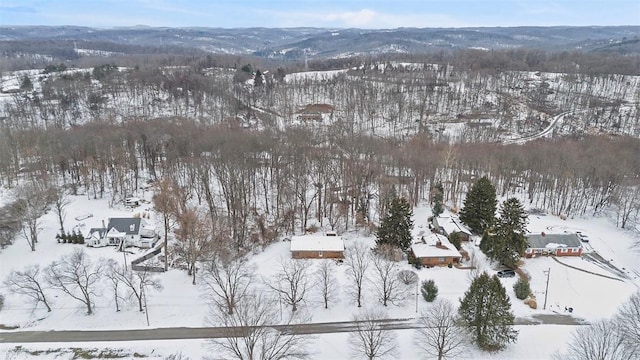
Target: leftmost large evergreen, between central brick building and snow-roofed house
{"x": 395, "y": 226}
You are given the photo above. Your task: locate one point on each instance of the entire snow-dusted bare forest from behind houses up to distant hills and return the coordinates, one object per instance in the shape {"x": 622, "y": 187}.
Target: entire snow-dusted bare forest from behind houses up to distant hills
{"x": 268, "y": 149}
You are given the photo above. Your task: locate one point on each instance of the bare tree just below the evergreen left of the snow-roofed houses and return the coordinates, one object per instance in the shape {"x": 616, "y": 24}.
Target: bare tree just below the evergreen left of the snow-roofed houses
{"x": 387, "y": 283}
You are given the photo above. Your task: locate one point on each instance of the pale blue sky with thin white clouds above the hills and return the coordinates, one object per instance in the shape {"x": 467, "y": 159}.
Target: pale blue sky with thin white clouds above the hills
{"x": 331, "y": 13}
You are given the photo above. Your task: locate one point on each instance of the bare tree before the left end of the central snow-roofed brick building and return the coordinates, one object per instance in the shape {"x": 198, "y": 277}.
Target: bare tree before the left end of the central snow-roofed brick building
{"x": 291, "y": 282}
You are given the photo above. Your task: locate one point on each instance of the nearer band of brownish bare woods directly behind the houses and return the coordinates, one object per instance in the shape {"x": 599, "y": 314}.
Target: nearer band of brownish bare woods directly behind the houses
{"x": 268, "y": 183}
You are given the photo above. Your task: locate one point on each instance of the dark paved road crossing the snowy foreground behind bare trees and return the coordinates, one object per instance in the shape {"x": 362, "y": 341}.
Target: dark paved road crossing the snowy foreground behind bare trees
{"x": 18, "y": 337}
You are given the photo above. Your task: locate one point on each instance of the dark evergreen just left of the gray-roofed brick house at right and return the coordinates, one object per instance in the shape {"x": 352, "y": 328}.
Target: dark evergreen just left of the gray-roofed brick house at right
{"x": 506, "y": 242}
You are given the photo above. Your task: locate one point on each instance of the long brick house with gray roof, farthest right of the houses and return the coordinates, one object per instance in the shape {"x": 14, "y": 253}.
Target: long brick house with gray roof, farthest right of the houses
{"x": 553, "y": 244}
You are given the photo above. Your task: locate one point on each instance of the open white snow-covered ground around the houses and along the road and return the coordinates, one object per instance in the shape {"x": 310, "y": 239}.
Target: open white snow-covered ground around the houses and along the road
{"x": 180, "y": 304}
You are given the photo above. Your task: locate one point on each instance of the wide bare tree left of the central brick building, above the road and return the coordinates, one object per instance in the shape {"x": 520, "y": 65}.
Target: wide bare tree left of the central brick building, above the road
{"x": 228, "y": 281}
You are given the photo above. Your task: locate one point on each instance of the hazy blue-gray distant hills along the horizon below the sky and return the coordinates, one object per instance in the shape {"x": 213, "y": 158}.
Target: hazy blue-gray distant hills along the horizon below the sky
{"x": 314, "y": 43}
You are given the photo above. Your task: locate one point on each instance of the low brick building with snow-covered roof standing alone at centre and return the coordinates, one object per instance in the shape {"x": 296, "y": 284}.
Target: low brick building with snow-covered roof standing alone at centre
{"x": 317, "y": 247}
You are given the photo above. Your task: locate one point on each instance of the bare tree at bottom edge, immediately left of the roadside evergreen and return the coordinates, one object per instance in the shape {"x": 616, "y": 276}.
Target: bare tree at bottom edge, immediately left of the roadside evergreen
{"x": 439, "y": 334}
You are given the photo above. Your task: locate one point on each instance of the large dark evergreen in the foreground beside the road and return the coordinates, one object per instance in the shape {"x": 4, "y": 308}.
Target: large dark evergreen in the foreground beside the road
{"x": 485, "y": 310}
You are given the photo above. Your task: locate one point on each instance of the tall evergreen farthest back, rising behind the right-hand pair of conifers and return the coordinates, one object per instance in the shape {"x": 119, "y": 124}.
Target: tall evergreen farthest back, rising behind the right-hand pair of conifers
{"x": 479, "y": 209}
